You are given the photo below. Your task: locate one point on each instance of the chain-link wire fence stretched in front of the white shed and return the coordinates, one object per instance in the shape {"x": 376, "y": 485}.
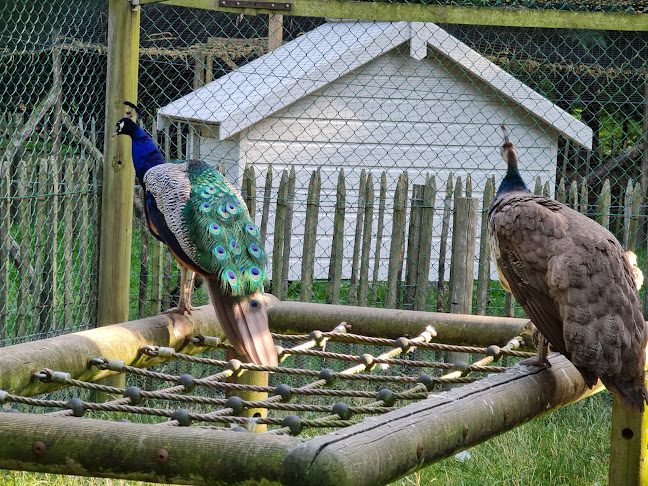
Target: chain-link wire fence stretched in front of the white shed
{"x": 354, "y": 143}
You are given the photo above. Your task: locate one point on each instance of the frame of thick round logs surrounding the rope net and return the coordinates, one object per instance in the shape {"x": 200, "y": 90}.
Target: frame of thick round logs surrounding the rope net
{"x": 374, "y": 451}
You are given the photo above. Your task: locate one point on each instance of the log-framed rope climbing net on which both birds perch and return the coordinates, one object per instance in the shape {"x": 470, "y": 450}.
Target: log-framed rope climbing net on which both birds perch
{"x": 366, "y": 412}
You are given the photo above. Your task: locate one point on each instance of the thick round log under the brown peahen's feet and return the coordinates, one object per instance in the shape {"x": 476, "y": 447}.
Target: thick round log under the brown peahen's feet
{"x": 382, "y": 449}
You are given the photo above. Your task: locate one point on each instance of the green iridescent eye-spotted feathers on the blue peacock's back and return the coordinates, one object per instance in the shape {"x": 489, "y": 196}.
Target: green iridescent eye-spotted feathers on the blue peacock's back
{"x": 227, "y": 243}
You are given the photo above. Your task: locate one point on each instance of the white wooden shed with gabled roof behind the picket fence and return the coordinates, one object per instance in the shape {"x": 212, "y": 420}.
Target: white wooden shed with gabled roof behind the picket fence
{"x": 381, "y": 96}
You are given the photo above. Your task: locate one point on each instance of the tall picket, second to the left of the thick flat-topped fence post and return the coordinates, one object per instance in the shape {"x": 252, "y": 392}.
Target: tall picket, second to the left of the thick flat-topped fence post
{"x": 425, "y": 247}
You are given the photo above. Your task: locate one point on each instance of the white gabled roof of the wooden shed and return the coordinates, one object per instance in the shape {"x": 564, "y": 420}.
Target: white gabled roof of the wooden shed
{"x": 314, "y": 60}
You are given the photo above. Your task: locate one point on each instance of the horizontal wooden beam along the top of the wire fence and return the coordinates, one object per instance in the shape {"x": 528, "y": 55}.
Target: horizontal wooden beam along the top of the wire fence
{"x": 441, "y": 14}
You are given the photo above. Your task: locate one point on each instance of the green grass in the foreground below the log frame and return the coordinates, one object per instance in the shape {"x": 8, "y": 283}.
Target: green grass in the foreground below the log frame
{"x": 568, "y": 447}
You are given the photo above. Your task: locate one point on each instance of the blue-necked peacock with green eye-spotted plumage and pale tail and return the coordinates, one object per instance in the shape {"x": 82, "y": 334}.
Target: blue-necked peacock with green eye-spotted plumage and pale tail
{"x": 200, "y": 216}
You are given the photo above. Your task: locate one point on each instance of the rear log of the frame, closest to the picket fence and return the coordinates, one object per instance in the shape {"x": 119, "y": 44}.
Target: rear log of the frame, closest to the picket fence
{"x": 302, "y": 318}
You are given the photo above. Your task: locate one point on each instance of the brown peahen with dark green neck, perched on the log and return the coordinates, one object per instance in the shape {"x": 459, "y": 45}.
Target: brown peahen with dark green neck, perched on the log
{"x": 574, "y": 281}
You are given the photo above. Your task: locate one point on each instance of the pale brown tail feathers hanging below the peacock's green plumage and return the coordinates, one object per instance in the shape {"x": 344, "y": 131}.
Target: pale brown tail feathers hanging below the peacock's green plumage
{"x": 245, "y": 322}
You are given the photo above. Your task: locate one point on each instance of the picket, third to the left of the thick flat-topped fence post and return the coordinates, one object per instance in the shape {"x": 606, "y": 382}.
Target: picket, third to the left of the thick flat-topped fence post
{"x": 412, "y": 265}
